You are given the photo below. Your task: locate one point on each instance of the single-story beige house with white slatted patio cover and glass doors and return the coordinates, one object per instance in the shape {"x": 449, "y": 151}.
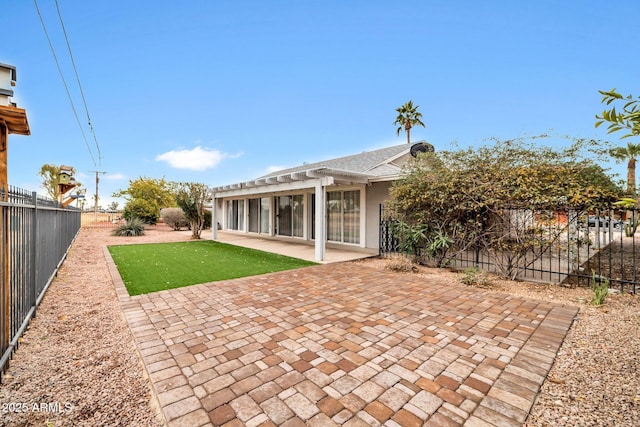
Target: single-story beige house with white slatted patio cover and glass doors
{"x": 338, "y": 199}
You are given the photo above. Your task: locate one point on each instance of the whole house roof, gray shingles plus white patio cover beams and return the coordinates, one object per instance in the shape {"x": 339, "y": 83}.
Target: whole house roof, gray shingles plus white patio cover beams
{"x": 382, "y": 164}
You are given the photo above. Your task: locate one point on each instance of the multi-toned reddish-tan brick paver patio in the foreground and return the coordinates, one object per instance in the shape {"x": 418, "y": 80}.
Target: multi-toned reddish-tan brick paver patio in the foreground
{"x": 343, "y": 344}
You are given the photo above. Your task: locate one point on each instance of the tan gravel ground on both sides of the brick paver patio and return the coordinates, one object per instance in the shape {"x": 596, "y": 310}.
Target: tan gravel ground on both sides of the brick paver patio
{"x": 77, "y": 364}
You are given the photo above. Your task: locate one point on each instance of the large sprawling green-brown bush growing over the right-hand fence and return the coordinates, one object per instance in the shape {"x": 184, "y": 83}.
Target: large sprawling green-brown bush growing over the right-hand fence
{"x": 449, "y": 202}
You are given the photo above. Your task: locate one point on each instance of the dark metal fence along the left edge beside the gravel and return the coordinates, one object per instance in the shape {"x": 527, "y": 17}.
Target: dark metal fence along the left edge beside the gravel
{"x": 35, "y": 234}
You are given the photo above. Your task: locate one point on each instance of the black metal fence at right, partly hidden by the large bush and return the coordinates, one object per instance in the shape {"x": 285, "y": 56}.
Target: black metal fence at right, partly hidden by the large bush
{"x": 569, "y": 246}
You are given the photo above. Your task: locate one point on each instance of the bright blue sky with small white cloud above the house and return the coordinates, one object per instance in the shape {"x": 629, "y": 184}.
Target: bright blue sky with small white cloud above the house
{"x": 224, "y": 91}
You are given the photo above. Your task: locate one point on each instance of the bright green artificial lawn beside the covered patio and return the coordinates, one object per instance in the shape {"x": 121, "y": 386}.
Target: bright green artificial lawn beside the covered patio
{"x": 154, "y": 267}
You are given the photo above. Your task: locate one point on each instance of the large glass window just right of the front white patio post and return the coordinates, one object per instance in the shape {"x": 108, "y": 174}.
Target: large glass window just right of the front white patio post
{"x": 343, "y": 216}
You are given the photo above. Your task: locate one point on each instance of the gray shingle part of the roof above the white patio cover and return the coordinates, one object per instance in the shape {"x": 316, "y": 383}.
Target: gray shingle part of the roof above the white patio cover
{"x": 368, "y": 162}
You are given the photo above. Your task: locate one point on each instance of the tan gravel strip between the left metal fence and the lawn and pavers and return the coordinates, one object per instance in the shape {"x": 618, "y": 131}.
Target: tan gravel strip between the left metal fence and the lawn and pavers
{"x": 77, "y": 364}
